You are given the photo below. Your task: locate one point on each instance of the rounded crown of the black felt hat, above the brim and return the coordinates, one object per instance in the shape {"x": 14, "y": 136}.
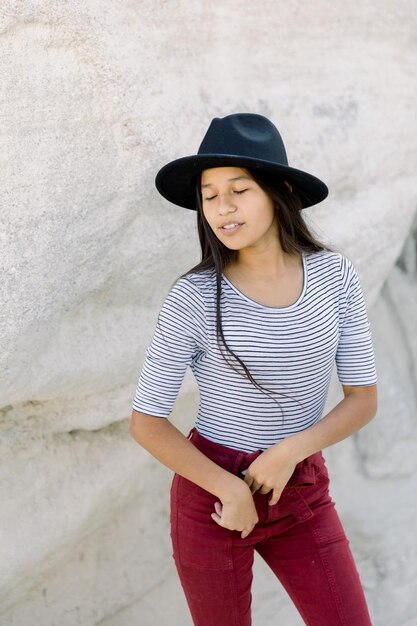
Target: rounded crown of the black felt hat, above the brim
{"x": 244, "y": 134}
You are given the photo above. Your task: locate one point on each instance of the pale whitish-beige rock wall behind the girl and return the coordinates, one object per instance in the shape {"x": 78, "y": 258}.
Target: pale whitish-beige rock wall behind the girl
{"x": 95, "y": 97}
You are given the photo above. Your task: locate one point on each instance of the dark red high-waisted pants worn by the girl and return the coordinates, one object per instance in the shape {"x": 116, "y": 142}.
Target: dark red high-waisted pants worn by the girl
{"x": 300, "y": 538}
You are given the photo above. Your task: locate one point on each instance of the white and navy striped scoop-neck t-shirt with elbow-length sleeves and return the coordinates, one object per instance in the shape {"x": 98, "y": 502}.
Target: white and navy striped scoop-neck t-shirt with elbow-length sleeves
{"x": 289, "y": 350}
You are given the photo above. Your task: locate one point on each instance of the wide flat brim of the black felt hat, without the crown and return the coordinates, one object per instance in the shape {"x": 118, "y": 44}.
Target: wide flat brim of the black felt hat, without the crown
{"x": 175, "y": 182}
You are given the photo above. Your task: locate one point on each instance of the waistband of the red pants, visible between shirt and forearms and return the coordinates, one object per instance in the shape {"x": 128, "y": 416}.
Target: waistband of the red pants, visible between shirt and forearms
{"x": 236, "y": 461}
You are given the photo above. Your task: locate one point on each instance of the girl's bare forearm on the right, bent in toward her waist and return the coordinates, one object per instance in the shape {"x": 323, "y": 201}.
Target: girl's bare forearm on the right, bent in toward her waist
{"x": 347, "y": 417}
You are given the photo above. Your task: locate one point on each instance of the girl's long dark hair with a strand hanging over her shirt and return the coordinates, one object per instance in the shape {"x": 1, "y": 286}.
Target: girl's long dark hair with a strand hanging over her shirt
{"x": 294, "y": 235}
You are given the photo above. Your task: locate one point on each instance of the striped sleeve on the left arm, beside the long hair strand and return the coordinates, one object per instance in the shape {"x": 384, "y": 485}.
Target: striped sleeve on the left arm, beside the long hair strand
{"x": 178, "y": 339}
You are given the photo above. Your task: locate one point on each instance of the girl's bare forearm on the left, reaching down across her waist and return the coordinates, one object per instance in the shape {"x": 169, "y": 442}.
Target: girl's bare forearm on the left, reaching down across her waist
{"x": 166, "y": 443}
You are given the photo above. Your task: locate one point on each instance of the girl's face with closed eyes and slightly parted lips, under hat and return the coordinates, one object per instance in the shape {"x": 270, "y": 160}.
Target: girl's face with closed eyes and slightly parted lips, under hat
{"x": 237, "y": 209}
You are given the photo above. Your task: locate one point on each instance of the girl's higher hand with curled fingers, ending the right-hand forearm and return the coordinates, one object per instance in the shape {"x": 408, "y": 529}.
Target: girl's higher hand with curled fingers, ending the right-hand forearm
{"x": 270, "y": 471}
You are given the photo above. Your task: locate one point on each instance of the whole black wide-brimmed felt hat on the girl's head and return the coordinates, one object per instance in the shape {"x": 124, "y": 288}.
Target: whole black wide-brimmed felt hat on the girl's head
{"x": 244, "y": 140}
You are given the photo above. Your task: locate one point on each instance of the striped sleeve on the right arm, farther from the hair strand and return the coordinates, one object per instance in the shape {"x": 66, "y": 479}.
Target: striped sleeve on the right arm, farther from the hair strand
{"x": 355, "y": 359}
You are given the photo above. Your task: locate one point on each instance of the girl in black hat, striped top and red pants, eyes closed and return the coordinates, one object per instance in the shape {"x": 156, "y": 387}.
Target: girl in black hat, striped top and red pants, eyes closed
{"x": 261, "y": 322}
